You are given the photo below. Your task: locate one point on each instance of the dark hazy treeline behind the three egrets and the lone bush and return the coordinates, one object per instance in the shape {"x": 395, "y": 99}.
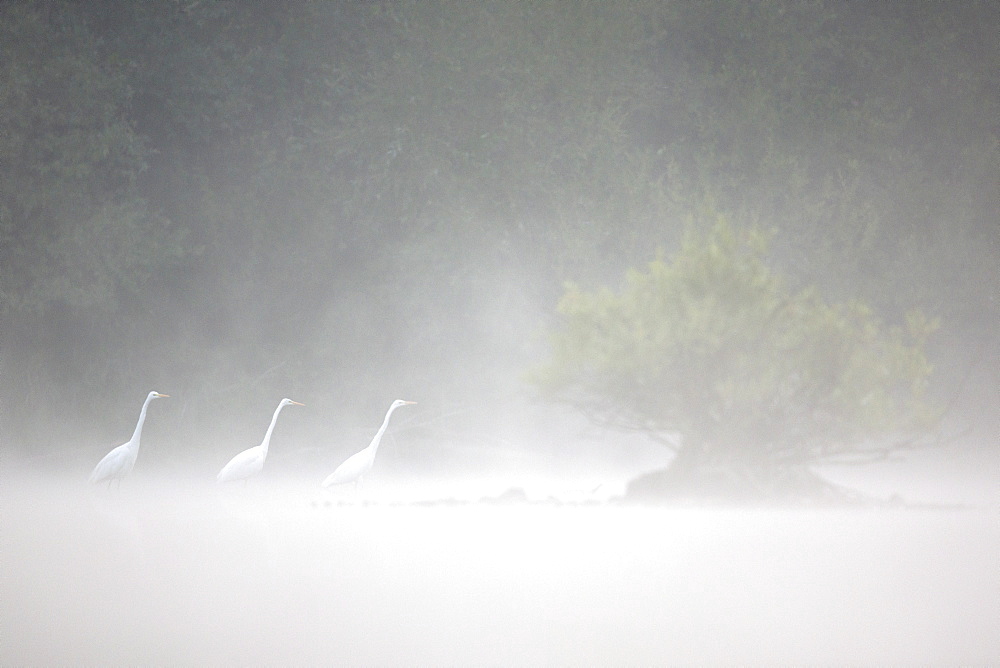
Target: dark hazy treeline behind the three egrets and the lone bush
{"x": 350, "y": 202}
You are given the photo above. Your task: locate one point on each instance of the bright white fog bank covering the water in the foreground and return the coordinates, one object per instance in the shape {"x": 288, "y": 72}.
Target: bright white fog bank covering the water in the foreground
{"x": 183, "y": 572}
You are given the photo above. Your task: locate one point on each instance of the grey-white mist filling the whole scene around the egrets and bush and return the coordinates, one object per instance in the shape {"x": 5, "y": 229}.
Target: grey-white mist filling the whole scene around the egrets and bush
{"x": 351, "y": 203}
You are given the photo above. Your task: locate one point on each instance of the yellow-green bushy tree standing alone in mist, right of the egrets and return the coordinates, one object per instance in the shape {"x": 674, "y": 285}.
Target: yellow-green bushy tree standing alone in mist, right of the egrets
{"x": 748, "y": 380}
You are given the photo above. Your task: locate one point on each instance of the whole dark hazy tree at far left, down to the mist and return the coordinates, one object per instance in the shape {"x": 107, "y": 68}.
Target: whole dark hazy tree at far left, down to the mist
{"x": 78, "y": 241}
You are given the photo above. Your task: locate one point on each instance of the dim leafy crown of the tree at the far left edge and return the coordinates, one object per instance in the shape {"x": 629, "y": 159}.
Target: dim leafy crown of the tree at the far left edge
{"x": 74, "y": 229}
